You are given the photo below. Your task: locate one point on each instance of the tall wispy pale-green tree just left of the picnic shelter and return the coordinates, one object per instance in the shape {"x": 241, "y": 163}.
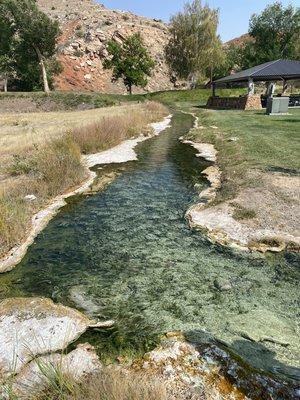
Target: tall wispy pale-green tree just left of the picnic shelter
{"x": 194, "y": 47}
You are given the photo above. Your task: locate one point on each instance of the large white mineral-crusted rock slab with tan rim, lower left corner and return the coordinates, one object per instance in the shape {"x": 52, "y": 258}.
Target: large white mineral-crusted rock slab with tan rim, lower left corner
{"x": 34, "y": 326}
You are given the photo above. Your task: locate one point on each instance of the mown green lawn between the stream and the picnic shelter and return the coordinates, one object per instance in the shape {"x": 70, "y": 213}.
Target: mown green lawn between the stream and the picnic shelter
{"x": 249, "y": 140}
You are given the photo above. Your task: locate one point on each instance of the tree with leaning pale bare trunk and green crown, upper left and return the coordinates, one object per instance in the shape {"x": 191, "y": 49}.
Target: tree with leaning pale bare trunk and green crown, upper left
{"x": 35, "y": 31}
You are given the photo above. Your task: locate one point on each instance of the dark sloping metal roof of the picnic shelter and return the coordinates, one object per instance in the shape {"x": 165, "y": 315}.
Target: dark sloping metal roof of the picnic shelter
{"x": 272, "y": 70}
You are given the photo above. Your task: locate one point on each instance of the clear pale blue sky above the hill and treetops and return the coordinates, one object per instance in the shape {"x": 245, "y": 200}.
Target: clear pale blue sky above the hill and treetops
{"x": 234, "y": 14}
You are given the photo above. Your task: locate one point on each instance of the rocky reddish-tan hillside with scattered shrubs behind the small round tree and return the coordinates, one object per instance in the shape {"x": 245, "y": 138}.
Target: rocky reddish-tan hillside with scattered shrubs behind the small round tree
{"x": 86, "y": 28}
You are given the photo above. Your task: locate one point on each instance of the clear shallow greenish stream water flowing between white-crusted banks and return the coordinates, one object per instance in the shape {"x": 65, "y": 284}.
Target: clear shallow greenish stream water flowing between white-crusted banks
{"x": 129, "y": 253}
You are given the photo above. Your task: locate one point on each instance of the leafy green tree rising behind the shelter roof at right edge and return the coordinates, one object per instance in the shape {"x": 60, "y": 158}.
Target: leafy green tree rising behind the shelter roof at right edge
{"x": 276, "y": 34}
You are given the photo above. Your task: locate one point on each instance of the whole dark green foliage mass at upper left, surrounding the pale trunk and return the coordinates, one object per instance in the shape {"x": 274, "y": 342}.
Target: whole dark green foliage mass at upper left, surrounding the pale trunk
{"x": 34, "y": 36}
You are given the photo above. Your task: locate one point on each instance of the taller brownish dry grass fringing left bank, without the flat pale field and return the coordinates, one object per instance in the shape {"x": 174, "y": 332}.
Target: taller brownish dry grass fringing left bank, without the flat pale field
{"x": 49, "y": 168}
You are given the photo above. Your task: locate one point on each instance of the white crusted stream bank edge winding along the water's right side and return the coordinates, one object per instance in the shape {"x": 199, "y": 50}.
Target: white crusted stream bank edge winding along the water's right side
{"x": 218, "y": 221}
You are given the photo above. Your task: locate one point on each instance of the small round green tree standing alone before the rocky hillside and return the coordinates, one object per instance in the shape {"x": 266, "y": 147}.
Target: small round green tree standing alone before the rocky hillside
{"x": 130, "y": 61}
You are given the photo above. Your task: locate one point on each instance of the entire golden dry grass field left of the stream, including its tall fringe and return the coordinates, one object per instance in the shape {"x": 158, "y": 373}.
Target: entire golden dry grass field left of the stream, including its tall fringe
{"x": 40, "y": 159}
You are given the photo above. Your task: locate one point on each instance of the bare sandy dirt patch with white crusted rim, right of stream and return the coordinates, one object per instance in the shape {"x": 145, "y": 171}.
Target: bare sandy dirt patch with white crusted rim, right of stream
{"x": 262, "y": 218}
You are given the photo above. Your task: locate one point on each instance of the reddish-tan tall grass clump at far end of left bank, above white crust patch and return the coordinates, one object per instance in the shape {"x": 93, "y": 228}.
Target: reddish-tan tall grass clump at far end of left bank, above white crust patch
{"x": 112, "y": 130}
